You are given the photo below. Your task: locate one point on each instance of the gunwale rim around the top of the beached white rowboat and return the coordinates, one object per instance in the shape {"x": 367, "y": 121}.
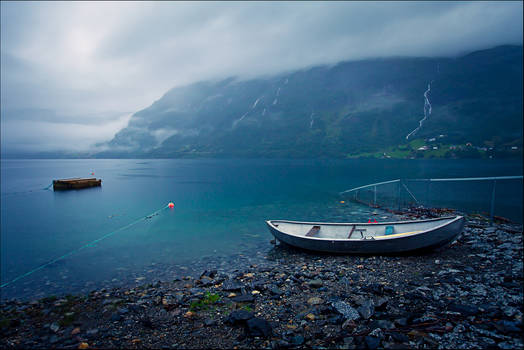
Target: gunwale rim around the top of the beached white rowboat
{"x": 453, "y": 219}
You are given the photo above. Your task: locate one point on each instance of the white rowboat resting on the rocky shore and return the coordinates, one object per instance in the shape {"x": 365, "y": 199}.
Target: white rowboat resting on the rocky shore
{"x": 371, "y": 238}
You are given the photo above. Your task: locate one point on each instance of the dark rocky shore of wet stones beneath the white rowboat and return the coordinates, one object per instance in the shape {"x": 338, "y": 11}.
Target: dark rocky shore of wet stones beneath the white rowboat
{"x": 466, "y": 295}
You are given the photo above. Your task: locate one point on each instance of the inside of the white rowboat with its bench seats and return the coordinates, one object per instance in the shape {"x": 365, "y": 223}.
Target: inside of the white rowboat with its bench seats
{"x": 357, "y": 231}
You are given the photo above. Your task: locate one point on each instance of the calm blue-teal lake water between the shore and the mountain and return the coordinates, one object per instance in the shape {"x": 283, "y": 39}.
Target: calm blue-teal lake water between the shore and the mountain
{"x": 219, "y": 213}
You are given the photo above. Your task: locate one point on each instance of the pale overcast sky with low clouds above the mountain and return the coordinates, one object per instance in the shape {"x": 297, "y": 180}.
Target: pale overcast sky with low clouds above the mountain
{"x": 72, "y": 73}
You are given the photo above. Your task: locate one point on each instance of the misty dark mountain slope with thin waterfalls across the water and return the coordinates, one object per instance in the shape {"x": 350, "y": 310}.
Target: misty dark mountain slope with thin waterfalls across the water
{"x": 335, "y": 111}
